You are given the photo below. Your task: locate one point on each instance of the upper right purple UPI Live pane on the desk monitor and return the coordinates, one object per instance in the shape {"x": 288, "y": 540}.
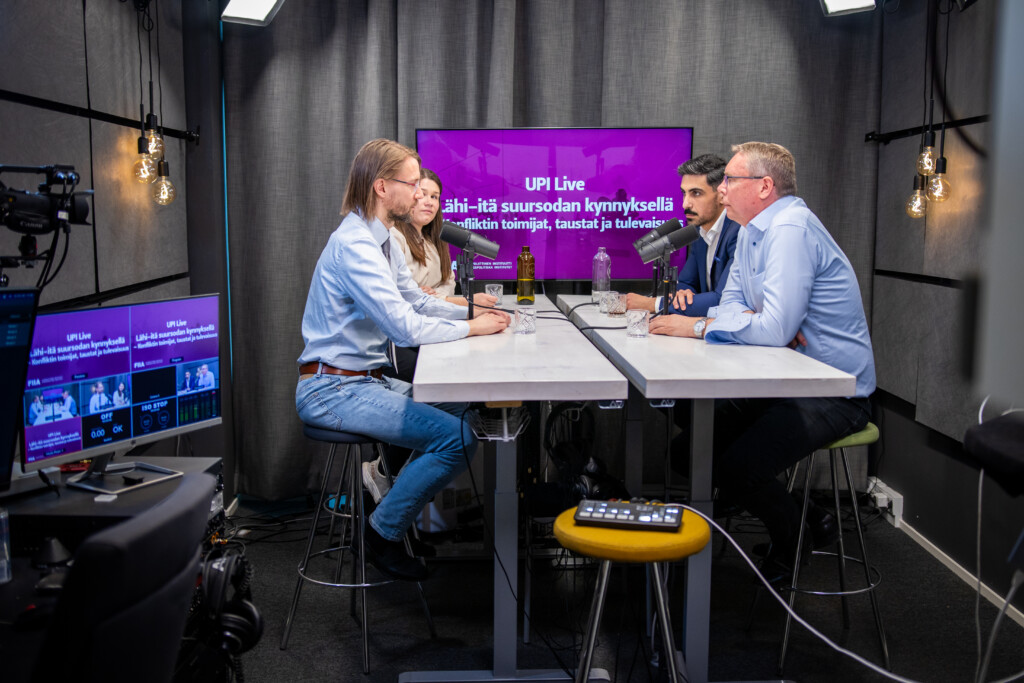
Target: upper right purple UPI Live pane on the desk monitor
{"x": 151, "y": 321}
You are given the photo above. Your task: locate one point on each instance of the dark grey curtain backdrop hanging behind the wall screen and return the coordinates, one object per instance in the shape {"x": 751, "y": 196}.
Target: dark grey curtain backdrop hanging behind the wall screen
{"x": 305, "y": 94}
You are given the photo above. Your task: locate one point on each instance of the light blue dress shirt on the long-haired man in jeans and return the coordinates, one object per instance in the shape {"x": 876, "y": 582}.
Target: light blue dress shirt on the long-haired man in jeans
{"x": 358, "y": 302}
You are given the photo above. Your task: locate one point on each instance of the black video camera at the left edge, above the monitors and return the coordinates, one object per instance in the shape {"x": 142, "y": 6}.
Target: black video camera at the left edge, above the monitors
{"x": 57, "y": 205}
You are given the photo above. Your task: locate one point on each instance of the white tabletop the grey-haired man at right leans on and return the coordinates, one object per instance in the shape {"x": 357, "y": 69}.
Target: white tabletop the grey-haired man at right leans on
{"x": 679, "y": 368}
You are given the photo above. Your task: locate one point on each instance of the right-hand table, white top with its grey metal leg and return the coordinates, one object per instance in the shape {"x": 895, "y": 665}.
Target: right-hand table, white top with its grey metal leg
{"x": 660, "y": 367}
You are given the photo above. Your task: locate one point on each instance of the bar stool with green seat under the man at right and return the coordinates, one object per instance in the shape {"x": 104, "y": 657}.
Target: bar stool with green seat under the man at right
{"x": 866, "y": 437}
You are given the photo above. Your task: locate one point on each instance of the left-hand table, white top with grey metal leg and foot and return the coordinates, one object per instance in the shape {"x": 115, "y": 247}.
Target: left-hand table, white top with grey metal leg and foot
{"x": 556, "y": 364}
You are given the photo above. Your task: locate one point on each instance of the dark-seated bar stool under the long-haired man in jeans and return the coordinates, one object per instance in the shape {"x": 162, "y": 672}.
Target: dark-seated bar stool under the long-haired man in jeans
{"x": 346, "y": 507}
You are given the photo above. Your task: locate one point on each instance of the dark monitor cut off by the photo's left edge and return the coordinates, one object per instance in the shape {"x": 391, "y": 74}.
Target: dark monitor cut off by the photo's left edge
{"x": 18, "y": 315}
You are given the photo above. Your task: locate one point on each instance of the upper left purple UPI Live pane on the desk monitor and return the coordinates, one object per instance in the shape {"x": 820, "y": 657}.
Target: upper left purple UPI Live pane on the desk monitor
{"x": 62, "y": 332}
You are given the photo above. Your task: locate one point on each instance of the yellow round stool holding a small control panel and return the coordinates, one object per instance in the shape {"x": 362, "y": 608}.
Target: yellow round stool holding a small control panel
{"x": 612, "y": 545}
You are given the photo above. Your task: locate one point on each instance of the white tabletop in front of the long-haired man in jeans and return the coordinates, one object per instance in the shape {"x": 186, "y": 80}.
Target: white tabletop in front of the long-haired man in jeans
{"x": 556, "y": 364}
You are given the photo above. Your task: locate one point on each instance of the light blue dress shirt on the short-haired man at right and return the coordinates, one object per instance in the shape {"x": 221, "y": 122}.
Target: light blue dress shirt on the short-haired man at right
{"x": 793, "y": 275}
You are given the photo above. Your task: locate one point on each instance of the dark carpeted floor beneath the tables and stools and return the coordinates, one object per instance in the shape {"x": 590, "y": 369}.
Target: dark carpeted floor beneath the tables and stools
{"x": 928, "y": 613}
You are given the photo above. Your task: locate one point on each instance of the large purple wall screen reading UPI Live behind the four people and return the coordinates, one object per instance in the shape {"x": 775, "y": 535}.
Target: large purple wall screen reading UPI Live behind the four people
{"x": 564, "y": 193}
